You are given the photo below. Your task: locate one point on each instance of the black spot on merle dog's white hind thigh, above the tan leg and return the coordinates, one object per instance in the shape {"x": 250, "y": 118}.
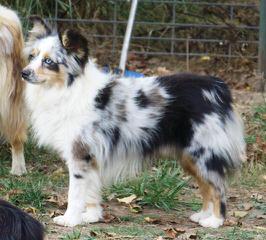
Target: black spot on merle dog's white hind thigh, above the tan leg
{"x": 217, "y": 164}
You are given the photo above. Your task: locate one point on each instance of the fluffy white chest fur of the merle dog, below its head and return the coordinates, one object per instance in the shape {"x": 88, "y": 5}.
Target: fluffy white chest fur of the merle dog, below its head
{"x": 57, "y": 115}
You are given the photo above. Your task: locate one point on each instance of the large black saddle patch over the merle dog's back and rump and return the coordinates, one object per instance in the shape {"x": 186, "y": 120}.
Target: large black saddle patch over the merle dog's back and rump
{"x": 186, "y": 104}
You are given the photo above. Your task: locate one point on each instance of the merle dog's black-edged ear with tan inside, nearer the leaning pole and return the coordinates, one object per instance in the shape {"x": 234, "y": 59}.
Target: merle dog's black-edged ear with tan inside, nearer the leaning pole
{"x": 76, "y": 45}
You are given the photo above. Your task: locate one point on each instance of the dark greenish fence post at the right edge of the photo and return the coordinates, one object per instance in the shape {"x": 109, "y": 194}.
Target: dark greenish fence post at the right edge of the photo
{"x": 262, "y": 44}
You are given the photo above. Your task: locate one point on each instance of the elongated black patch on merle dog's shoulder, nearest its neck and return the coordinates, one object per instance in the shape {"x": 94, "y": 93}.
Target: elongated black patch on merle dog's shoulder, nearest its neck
{"x": 104, "y": 95}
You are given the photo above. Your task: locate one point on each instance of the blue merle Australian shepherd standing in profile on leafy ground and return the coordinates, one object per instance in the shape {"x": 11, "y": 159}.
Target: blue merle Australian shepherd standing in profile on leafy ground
{"x": 106, "y": 127}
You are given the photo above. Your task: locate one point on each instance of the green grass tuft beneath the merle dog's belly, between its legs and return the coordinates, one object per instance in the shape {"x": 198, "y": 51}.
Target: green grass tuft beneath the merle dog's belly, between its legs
{"x": 159, "y": 187}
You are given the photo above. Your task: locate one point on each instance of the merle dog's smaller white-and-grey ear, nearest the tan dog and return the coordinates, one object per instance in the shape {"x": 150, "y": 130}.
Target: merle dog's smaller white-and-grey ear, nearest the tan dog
{"x": 40, "y": 28}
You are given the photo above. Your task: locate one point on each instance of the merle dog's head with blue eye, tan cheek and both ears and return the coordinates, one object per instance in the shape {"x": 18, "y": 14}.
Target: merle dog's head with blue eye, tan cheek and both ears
{"x": 55, "y": 59}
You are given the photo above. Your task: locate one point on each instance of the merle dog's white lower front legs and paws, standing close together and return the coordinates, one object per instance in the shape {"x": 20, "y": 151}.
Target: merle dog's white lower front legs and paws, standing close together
{"x": 84, "y": 194}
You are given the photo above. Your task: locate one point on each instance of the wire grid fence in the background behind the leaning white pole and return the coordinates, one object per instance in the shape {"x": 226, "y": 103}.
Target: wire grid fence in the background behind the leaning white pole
{"x": 184, "y": 29}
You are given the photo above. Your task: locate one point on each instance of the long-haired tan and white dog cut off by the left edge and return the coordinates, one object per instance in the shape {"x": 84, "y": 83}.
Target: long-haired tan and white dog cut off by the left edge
{"x": 12, "y": 112}
